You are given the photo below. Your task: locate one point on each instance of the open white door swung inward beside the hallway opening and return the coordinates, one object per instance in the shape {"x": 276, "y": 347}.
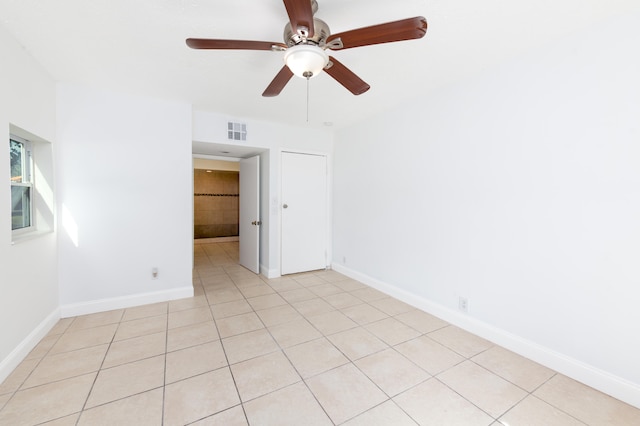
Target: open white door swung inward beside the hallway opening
{"x": 250, "y": 213}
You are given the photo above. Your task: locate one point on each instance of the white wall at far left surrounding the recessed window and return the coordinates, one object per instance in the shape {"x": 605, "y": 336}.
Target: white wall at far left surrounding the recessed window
{"x": 28, "y": 271}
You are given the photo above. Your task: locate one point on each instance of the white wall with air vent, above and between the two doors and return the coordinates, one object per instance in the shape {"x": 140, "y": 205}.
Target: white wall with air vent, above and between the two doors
{"x": 273, "y": 138}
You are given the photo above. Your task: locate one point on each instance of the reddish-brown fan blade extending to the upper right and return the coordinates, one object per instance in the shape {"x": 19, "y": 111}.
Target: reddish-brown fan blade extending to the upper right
{"x": 406, "y": 29}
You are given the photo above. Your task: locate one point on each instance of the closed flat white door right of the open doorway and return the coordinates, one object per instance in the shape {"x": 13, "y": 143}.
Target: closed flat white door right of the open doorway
{"x": 304, "y": 212}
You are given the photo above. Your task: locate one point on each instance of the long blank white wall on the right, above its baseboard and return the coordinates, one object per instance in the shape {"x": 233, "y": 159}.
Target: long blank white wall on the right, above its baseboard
{"x": 520, "y": 190}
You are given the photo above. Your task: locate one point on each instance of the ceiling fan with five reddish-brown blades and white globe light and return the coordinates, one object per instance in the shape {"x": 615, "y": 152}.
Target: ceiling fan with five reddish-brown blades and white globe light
{"x": 306, "y": 40}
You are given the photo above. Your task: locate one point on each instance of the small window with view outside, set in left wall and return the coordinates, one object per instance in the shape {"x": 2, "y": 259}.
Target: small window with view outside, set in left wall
{"x": 21, "y": 184}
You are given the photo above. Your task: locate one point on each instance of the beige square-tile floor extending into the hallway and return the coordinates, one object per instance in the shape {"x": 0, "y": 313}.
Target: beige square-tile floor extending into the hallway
{"x": 310, "y": 349}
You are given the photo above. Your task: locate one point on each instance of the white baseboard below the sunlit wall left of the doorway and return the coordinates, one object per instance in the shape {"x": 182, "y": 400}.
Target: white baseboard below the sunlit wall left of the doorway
{"x": 102, "y": 305}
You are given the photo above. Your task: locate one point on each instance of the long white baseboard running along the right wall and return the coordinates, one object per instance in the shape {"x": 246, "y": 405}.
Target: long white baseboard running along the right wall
{"x": 598, "y": 379}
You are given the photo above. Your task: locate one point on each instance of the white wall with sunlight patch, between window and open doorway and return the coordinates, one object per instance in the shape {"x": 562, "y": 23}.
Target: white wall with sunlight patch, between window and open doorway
{"x": 125, "y": 199}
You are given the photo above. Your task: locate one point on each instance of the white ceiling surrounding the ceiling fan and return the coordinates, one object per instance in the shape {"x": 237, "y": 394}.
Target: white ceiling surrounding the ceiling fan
{"x": 137, "y": 46}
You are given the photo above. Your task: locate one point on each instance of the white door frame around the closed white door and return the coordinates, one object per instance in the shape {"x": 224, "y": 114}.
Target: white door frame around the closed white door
{"x": 328, "y": 203}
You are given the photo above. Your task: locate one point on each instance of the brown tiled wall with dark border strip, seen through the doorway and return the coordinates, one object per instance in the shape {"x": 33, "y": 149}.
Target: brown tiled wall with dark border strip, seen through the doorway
{"x": 216, "y": 203}
